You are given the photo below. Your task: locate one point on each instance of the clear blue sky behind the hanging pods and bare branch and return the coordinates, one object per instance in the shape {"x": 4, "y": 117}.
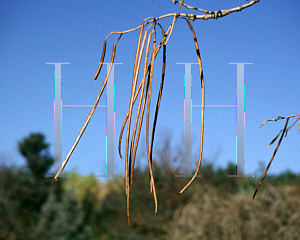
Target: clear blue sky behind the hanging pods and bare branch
{"x": 36, "y": 32}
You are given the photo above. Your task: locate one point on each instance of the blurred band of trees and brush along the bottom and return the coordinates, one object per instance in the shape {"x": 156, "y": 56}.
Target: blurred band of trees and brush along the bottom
{"x": 82, "y": 207}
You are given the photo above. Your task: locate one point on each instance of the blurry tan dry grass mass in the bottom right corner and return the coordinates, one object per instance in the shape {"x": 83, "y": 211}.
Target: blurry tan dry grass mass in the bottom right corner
{"x": 276, "y": 215}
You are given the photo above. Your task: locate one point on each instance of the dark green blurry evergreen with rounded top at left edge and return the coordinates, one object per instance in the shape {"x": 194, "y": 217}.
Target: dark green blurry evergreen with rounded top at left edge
{"x": 25, "y": 189}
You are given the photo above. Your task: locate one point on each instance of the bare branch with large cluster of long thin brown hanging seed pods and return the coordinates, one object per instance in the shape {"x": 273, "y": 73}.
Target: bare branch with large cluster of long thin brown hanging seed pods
{"x": 148, "y": 47}
